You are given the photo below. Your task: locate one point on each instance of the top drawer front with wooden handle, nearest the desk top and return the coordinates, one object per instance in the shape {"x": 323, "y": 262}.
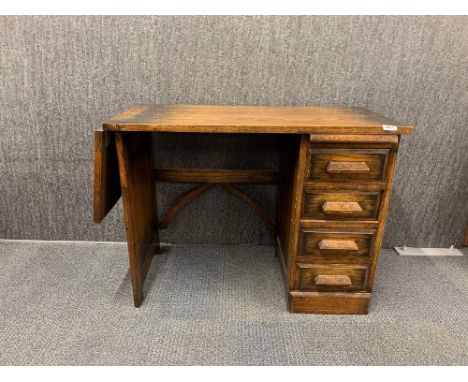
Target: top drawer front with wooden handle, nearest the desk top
{"x": 343, "y": 165}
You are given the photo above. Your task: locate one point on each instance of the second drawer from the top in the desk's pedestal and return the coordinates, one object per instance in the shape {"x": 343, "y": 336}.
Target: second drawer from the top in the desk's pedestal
{"x": 339, "y": 205}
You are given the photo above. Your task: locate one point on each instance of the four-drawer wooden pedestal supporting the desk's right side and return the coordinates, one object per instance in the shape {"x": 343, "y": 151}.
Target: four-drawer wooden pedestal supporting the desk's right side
{"x": 335, "y": 219}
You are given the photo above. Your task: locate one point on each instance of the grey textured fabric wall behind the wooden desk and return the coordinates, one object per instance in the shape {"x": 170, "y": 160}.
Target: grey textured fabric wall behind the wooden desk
{"x": 61, "y": 76}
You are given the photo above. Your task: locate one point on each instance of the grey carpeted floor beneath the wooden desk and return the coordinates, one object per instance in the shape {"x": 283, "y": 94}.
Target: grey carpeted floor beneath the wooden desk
{"x": 70, "y": 303}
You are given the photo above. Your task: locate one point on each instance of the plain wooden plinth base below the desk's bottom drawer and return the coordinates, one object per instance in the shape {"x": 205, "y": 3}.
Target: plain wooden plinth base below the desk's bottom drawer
{"x": 328, "y": 302}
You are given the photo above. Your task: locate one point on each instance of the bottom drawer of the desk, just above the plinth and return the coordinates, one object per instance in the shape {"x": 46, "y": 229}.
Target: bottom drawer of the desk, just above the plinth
{"x": 331, "y": 277}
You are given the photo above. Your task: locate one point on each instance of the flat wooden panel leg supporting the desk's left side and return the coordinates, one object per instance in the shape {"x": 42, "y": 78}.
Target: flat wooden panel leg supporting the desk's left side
{"x": 135, "y": 157}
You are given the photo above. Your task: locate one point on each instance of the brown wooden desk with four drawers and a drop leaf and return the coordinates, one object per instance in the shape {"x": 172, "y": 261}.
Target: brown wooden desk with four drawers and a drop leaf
{"x": 335, "y": 178}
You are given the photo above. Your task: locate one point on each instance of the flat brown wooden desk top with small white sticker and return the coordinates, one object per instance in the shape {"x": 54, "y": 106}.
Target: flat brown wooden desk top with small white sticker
{"x": 253, "y": 119}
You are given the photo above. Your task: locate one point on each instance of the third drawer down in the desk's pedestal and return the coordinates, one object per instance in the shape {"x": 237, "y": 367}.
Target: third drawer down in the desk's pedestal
{"x": 329, "y": 245}
